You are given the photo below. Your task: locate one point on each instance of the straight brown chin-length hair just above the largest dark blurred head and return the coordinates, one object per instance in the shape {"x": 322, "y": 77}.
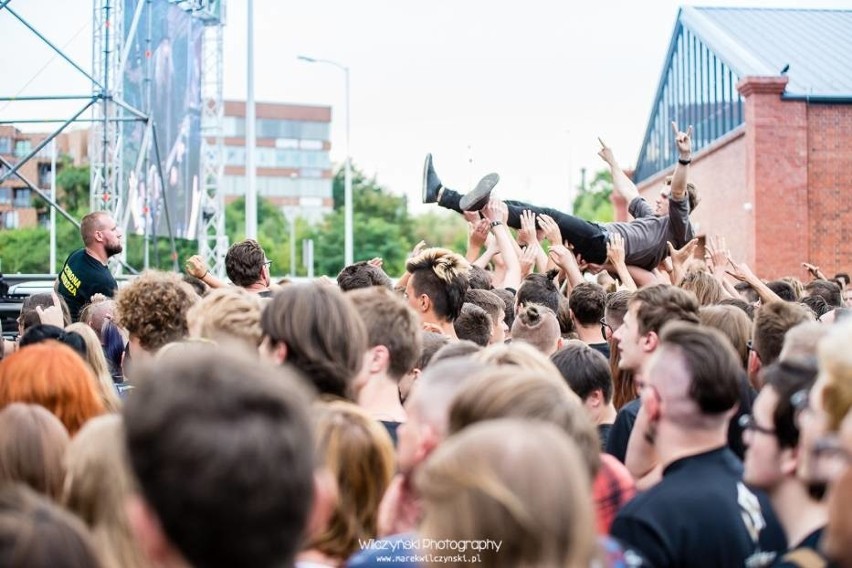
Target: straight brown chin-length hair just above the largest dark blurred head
{"x": 324, "y": 335}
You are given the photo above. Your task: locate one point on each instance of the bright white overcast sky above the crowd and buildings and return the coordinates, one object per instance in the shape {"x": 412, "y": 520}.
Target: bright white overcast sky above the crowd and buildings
{"x": 520, "y": 88}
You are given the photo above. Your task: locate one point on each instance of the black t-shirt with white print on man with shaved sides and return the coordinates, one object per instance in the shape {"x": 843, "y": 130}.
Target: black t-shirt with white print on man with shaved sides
{"x": 702, "y": 514}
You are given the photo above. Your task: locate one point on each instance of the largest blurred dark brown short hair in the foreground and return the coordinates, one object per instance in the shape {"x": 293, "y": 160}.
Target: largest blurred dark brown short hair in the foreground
{"x": 220, "y": 447}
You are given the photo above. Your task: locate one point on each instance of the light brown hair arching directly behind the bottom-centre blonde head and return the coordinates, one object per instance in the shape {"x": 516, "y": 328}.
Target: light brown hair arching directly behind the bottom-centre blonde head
{"x": 518, "y": 393}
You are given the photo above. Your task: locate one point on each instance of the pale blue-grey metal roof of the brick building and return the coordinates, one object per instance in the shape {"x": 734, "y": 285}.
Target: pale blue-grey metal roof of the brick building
{"x": 816, "y": 44}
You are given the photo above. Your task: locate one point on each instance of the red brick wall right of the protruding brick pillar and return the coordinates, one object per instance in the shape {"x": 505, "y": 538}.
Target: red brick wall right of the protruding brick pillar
{"x": 830, "y": 187}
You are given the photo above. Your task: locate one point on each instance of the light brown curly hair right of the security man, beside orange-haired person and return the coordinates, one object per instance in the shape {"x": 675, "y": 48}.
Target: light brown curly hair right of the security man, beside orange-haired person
{"x": 153, "y": 308}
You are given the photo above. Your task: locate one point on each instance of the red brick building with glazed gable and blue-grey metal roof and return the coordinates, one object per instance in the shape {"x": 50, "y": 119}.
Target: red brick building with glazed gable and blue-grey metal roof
{"x": 769, "y": 95}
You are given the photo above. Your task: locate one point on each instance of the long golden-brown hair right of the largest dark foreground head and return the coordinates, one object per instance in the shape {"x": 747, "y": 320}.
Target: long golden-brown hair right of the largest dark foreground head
{"x": 358, "y": 452}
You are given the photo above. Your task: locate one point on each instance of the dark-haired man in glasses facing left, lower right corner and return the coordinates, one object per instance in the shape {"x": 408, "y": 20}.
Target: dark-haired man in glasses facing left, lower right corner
{"x": 773, "y": 451}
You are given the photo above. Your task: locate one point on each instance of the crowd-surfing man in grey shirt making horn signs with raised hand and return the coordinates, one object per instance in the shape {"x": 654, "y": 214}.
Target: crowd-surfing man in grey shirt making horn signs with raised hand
{"x": 646, "y": 237}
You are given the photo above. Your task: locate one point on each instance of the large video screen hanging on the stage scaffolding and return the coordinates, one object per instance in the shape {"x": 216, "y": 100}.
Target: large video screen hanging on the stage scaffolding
{"x": 163, "y": 79}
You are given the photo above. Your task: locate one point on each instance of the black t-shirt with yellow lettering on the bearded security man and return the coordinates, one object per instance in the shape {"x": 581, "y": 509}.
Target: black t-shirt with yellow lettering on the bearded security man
{"x": 82, "y": 276}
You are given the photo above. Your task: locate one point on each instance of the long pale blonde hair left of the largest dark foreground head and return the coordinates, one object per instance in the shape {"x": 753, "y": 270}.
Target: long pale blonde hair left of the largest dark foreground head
{"x": 97, "y": 482}
